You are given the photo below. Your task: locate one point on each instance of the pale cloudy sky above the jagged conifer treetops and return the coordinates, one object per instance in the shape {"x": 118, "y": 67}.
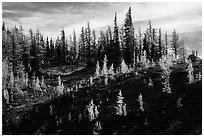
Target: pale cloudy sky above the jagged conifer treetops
{"x": 50, "y": 17}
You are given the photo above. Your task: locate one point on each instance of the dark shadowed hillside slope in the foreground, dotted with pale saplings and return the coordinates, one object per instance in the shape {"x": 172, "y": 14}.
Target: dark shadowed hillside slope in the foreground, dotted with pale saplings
{"x": 163, "y": 114}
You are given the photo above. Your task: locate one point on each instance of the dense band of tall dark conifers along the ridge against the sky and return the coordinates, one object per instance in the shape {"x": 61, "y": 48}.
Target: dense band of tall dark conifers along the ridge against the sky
{"x": 35, "y": 51}
